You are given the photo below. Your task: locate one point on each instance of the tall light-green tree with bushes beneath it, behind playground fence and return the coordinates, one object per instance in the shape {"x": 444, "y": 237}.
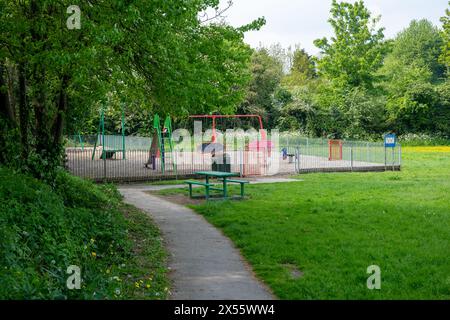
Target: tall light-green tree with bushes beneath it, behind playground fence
{"x": 346, "y": 96}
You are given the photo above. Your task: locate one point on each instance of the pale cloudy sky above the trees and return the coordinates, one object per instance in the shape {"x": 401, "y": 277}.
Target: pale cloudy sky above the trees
{"x": 291, "y": 22}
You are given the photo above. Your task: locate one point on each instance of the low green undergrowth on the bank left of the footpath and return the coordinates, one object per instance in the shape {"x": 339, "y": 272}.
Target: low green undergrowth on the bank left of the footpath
{"x": 44, "y": 231}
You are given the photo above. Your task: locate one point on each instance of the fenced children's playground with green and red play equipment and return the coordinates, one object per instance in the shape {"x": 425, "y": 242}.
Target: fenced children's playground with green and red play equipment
{"x": 167, "y": 154}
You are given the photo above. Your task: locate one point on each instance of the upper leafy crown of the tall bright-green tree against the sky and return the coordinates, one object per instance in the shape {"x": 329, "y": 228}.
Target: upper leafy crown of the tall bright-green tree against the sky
{"x": 355, "y": 52}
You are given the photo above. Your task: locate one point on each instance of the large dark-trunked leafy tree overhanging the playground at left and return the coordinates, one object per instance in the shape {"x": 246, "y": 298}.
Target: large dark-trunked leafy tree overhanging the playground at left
{"x": 156, "y": 52}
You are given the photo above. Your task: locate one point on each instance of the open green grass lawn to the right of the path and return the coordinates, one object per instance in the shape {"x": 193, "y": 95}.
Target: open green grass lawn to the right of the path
{"x": 331, "y": 227}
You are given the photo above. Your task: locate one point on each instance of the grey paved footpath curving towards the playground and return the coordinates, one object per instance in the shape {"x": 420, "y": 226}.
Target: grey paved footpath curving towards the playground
{"x": 204, "y": 263}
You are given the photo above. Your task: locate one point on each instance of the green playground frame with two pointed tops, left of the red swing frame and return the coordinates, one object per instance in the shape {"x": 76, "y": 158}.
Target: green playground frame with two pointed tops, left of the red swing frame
{"x": 161, "y": 142}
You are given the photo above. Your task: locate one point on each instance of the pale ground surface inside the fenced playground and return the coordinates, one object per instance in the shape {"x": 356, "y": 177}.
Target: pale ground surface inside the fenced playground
{"x": 132, "y": 168}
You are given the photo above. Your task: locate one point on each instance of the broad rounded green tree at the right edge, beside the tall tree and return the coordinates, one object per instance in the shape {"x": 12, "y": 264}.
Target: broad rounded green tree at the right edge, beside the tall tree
{"x": 412, "y": 76}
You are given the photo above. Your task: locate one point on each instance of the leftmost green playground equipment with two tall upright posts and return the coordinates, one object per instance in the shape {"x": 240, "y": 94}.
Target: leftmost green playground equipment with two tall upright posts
{"x": 110, "y": 144}
